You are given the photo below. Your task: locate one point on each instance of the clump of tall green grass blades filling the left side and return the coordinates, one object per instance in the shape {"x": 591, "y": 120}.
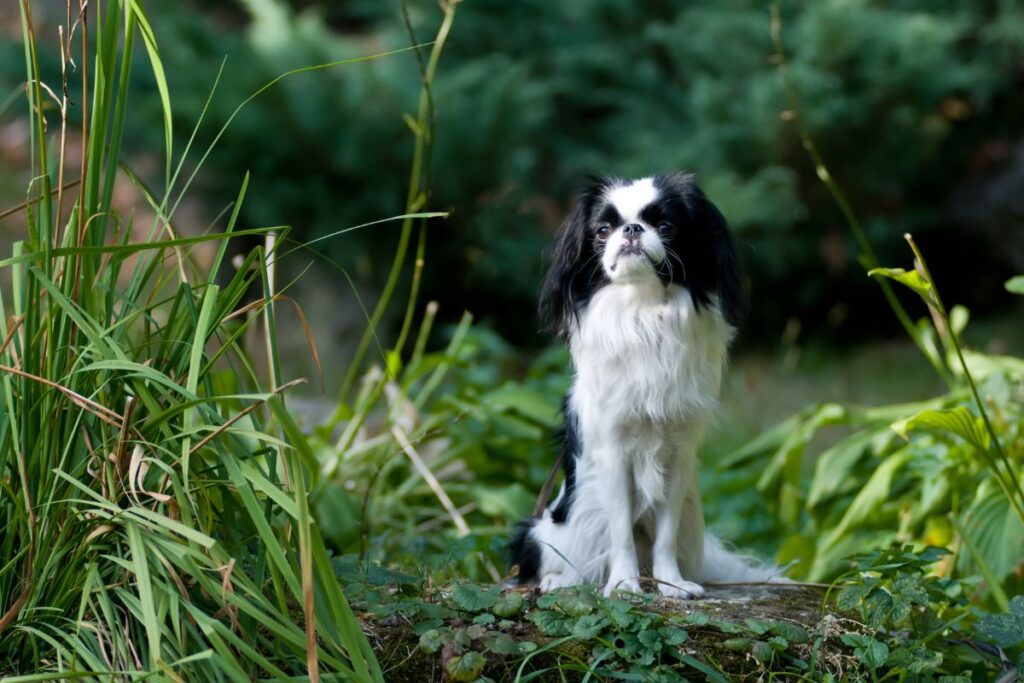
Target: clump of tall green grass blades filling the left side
{"x": 154, "y": 492}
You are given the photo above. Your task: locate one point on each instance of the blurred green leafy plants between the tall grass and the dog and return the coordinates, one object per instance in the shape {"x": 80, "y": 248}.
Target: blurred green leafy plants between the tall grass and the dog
{"x": 484, "y": 438}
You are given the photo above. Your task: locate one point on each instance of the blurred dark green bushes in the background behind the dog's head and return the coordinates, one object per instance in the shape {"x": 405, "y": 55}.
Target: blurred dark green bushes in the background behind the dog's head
{"x": 917, "y": 105}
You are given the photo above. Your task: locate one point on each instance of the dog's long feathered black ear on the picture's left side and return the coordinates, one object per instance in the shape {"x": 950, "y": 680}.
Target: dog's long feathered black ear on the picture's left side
{"x": 569, "y": 282}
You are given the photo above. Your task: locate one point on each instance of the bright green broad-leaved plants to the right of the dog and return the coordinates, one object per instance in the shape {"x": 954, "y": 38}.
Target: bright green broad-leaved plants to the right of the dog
{"x": 952, "y": 478}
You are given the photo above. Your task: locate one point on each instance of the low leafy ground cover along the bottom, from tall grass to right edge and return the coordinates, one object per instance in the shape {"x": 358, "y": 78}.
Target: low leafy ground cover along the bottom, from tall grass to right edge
{"x": 895, "y": 619}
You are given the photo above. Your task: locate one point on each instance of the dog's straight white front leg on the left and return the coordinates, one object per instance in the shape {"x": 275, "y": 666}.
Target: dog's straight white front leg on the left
{"x": 623, "y": 566}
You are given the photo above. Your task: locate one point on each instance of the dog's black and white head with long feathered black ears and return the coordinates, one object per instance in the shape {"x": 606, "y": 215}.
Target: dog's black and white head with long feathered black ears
{"x": 661, "y": 229}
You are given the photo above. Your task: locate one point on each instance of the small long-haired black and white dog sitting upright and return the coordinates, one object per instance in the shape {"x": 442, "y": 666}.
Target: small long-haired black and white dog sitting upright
{"x": 645, "y": 284}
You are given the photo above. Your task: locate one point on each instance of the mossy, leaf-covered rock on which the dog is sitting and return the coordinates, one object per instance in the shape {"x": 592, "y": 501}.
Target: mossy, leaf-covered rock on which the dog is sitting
{"x": 736, "y": 632}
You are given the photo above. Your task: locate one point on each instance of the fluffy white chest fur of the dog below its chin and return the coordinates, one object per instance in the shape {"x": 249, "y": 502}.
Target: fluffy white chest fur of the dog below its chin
{"x": 643, "y": 353}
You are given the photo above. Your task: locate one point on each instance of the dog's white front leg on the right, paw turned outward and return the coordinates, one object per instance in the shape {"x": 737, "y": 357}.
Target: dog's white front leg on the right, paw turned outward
{"x": 670, "y": 517}
